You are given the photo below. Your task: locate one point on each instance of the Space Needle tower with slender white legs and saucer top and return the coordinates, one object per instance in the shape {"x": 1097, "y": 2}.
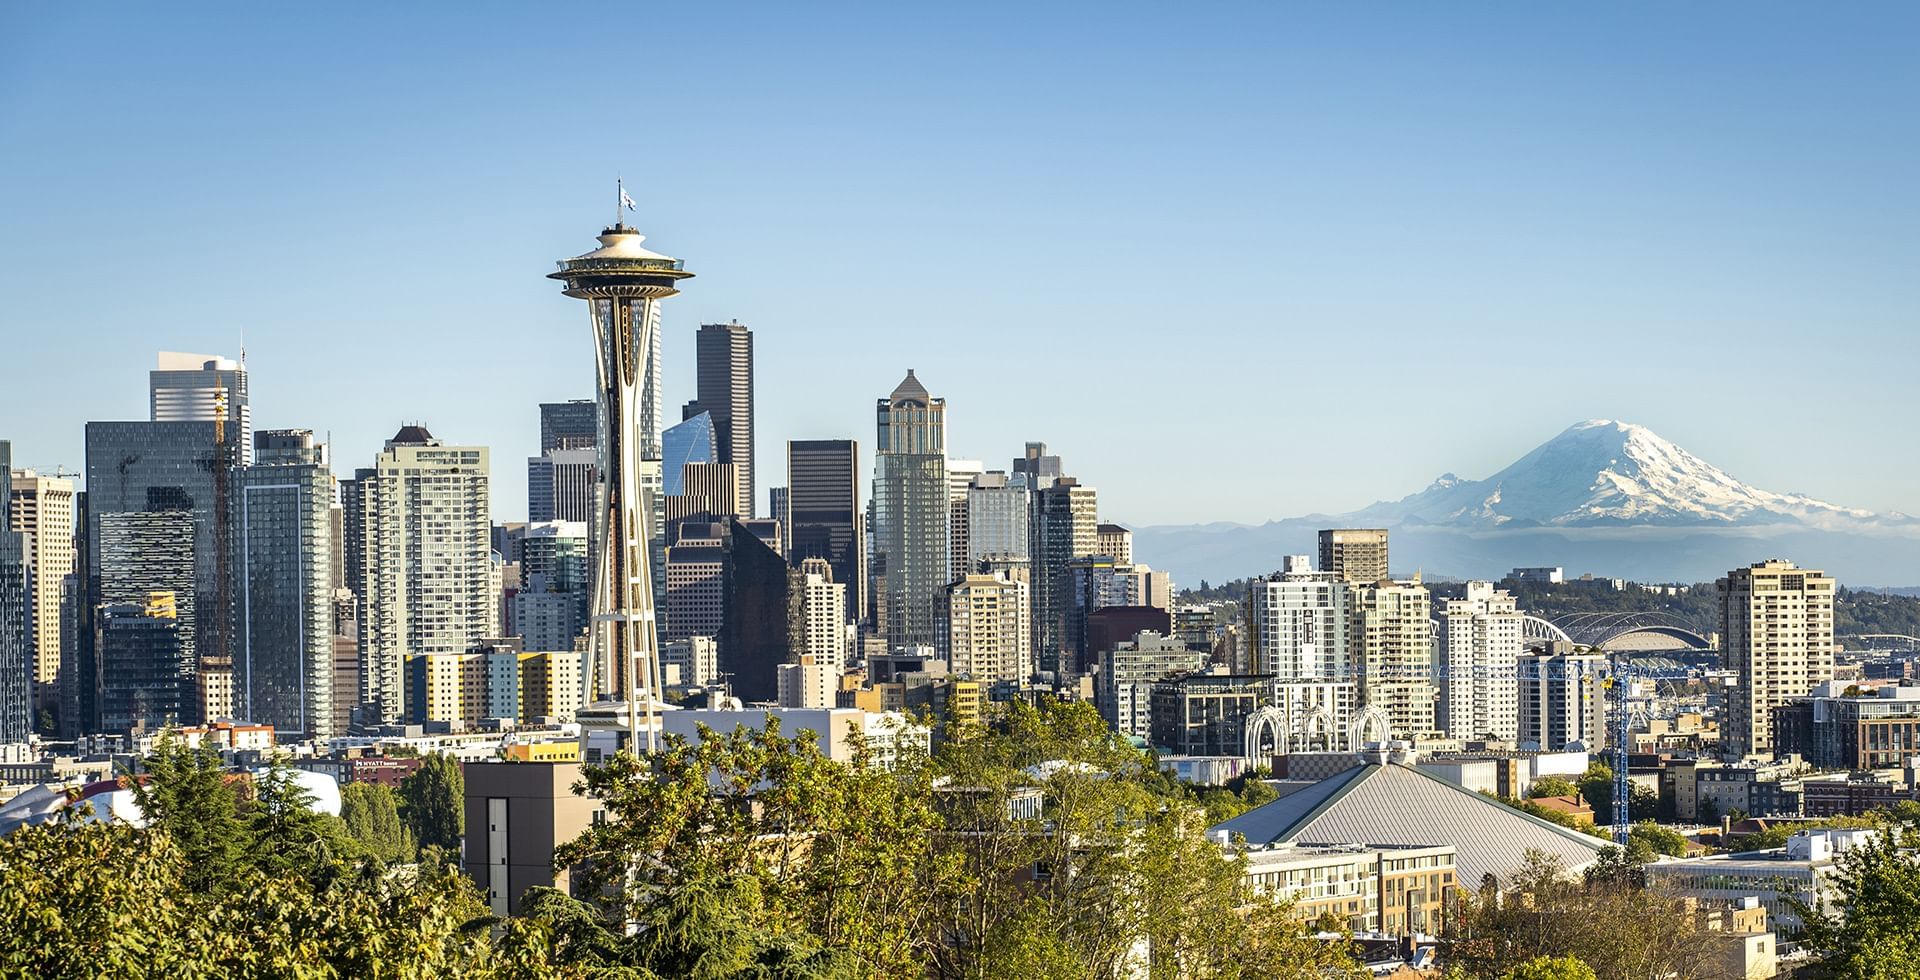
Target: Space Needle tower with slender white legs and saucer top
{"x": 623, "y": 285}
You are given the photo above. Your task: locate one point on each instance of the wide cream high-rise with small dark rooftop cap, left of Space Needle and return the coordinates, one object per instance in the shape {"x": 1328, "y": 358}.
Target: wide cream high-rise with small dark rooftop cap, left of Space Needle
{"x": 429, "y": 545}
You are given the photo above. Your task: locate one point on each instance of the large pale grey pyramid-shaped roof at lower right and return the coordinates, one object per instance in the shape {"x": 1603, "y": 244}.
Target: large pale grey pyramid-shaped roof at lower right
{"x": 1397, "y": 804}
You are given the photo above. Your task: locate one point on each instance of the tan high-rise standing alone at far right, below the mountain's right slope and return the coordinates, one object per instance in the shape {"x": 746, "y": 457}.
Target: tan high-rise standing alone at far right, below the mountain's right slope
{"x": 1777, "y": 631}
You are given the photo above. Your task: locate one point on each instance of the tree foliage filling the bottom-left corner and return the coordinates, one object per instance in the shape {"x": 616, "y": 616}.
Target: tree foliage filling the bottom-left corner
{"x": 229, "y": 877}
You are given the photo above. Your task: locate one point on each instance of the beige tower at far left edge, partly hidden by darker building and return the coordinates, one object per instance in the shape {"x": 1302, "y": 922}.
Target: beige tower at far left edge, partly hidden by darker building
{"x": 43, "y": 508}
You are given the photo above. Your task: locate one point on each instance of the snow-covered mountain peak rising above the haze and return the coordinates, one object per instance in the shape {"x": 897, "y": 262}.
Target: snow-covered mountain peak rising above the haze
{"x": 1608, "y": 472}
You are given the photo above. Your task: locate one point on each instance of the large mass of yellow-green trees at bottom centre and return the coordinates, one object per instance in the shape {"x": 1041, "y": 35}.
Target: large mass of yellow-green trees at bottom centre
{"x": 752, "y": 852}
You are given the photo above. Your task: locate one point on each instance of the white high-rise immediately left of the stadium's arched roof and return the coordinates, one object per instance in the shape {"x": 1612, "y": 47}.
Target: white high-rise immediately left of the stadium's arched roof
{"x": 1481, "y": 652}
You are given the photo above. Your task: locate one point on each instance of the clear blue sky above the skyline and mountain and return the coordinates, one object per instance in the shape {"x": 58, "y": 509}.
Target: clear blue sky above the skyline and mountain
{"x": 1230, "y": 262}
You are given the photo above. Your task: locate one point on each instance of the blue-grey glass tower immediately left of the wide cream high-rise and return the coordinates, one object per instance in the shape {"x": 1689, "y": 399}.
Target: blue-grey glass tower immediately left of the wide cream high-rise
{"x": 283, "y": 593}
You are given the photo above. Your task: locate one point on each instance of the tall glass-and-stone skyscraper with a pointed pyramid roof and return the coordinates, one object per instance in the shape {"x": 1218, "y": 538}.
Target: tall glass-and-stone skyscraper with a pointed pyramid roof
{"x": 911, "y": 510}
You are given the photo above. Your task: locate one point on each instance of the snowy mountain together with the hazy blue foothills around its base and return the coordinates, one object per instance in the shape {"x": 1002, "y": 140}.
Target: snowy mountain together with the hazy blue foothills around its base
{"x": 1604, "y": 497}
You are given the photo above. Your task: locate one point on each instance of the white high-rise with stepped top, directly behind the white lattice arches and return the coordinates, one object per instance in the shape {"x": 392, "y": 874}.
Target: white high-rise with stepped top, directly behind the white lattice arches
{"x": 1301, "y": 624}
